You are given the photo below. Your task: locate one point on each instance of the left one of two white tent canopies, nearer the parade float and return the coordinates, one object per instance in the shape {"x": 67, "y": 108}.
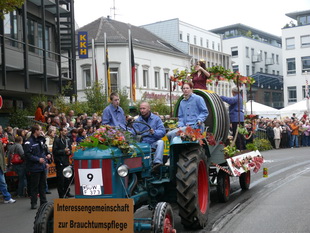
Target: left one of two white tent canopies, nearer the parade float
{"x": 261, "y": 110}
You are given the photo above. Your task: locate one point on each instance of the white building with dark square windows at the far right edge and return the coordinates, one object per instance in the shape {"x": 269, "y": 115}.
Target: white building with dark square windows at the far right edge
{"x": 296, "y": 56}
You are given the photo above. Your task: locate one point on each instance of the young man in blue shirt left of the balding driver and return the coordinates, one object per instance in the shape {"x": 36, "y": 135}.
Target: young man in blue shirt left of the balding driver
{"x": 113, "y": 114}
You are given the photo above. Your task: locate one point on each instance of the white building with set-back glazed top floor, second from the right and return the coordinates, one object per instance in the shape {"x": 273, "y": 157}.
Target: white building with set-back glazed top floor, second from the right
{"x": 252, "y": 50}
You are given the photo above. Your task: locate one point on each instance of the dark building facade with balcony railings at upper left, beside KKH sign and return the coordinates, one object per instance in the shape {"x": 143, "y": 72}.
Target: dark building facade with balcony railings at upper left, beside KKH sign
{"x": 35, "y": 40}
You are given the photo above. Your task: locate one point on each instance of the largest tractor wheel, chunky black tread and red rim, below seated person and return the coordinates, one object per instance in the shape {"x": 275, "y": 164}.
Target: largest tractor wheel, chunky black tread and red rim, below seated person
{"x": 193, "y": 187}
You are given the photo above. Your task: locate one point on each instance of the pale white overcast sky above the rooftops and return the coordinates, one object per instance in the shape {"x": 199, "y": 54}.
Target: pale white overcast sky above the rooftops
{"x": 265, "y": 15}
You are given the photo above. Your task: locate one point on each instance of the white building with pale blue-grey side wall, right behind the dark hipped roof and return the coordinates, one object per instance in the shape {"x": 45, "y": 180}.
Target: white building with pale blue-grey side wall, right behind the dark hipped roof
{"x": 198, "y": 43}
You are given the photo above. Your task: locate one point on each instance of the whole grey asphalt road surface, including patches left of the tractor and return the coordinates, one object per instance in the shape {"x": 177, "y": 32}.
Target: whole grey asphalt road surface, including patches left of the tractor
{"x": 279, "y": 203}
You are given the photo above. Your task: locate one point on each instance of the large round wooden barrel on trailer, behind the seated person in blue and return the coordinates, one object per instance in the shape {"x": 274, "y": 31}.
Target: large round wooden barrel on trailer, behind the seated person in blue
{"x": 218, "y": 119}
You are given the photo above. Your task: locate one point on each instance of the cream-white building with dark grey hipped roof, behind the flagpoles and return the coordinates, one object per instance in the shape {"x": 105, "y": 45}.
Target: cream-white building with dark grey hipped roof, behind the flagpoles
{"x": 155, "y": 60}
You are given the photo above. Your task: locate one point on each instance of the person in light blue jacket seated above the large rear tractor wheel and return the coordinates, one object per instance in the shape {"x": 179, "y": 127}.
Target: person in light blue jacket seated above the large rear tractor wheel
{"x": 192, "y": 111}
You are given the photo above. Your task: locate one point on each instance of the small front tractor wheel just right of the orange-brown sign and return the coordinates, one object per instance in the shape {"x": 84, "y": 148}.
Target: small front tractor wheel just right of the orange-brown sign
{"x": 163, "y": 221}
